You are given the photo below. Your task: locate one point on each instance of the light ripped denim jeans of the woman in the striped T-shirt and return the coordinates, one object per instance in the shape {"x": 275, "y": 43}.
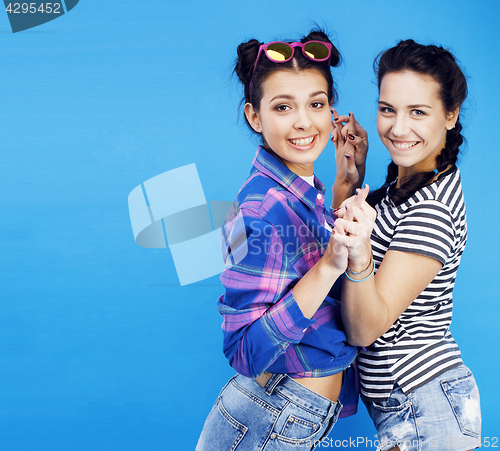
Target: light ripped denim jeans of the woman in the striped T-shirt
{"x": 443, "y": 414}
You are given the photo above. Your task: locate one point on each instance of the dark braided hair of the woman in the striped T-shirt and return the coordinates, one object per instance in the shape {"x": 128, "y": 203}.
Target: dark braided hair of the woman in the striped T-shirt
{"x": 442, "y": 66}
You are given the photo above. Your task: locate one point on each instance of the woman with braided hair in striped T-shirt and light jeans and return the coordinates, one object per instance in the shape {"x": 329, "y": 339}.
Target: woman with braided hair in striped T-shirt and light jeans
{"x": 417, "y": 390}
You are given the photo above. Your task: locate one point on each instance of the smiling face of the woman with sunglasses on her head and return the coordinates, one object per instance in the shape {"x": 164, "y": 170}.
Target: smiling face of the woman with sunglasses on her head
{"x": 294, "y": 117}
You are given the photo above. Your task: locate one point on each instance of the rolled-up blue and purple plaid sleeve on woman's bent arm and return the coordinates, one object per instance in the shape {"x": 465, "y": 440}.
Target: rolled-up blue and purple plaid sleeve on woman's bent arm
{"x": 261, "y": 316}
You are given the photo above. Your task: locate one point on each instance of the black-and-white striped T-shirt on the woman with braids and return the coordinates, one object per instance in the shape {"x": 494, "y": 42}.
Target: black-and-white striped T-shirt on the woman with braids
{"x": 418, "y": 347}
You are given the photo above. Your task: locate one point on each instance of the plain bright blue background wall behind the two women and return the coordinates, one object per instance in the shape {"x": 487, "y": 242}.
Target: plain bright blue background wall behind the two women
{"x": 100, "y": 347}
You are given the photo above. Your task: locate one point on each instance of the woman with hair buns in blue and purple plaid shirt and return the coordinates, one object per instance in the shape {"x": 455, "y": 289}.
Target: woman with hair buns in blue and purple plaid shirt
{"x": 282, "y": 327}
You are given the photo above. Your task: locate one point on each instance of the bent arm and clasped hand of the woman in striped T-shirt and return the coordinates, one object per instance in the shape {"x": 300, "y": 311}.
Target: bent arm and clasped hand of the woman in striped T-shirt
{"x": 370, "y": 307}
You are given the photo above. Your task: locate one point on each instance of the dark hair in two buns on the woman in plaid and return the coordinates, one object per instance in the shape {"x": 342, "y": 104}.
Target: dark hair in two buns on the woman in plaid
{"x": 247, "y": 55}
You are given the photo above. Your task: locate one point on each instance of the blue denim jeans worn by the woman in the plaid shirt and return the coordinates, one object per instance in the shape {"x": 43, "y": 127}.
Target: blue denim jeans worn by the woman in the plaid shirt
{"x": 281, "y": 416}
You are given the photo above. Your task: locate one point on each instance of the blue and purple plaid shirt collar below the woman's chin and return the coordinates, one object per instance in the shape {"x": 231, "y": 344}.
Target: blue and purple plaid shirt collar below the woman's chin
{"x": 274, "y": 168}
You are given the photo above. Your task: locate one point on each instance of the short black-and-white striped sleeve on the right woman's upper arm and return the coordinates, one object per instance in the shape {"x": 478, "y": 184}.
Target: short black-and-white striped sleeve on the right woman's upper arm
{"x": 426, "y": 229}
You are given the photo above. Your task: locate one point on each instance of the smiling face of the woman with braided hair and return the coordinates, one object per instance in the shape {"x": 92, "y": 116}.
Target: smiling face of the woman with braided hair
{"x": 411, "y": 121}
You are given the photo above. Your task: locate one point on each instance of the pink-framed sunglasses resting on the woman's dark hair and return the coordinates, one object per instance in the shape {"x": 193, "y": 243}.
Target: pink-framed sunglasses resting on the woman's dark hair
{"x": 281, "y": 52}
